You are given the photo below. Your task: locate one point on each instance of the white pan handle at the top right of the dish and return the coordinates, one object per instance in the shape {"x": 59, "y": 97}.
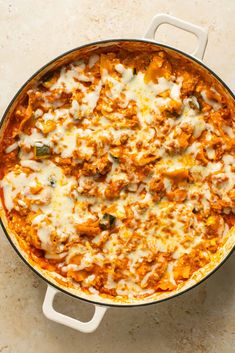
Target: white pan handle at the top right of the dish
{"x": 199, "y": 32}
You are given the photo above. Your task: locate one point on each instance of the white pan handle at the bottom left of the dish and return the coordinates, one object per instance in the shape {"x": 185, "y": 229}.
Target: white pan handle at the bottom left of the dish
{"x": 54, "y": 315}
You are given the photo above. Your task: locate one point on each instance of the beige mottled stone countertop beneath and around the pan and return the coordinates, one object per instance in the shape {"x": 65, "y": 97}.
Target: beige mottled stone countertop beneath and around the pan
{"x": 200, "y": 321}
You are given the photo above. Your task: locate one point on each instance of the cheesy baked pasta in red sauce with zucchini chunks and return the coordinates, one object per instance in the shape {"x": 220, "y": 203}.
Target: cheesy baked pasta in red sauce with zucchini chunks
{"x": 117, "y": 172}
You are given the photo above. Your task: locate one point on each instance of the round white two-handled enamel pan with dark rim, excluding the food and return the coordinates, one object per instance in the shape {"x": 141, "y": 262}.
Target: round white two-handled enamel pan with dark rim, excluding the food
{"x": 102, "y": 302}
